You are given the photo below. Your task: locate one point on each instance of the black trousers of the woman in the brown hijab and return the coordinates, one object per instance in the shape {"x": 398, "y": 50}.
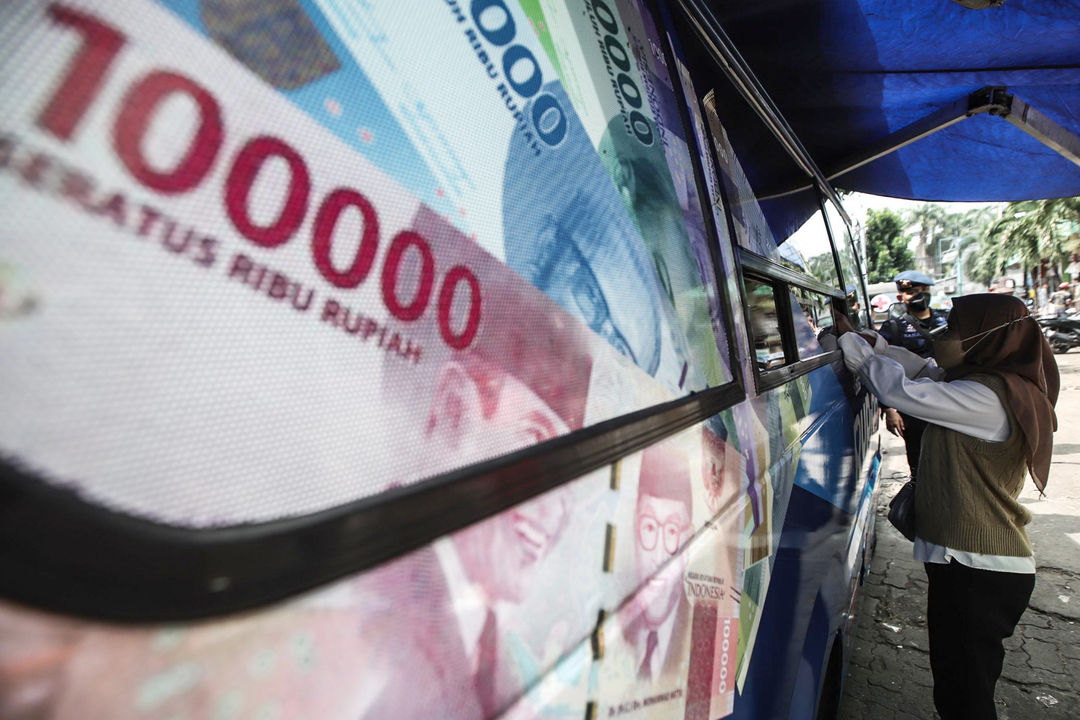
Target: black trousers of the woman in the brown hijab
{"x": 970, "y": 613}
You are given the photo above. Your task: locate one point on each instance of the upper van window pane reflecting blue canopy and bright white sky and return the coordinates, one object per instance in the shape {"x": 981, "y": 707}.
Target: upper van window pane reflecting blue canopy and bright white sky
{"x": 772, "y": 218}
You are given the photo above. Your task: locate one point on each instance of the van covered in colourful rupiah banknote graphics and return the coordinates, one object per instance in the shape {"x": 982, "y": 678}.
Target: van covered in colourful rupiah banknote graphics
{"x": 386, "y": 359}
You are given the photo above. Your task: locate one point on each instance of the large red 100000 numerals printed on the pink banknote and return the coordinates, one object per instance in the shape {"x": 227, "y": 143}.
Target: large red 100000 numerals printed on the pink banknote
{"x": 82, "y": 87}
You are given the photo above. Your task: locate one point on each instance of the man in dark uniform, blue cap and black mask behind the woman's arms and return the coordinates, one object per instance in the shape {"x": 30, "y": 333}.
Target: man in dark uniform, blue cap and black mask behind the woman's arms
{"x": 912, "y": 331}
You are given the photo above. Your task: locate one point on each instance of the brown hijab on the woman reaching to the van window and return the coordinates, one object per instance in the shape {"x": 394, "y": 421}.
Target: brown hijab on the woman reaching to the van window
{"x": 1020, "y": 356}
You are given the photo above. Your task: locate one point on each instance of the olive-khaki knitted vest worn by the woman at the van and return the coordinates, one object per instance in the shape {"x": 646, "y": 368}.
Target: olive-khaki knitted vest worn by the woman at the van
{"x": 966, "y": 498}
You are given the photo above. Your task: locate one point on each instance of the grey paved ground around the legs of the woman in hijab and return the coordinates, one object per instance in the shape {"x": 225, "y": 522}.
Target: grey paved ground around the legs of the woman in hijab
{"x": 889, "y": 671}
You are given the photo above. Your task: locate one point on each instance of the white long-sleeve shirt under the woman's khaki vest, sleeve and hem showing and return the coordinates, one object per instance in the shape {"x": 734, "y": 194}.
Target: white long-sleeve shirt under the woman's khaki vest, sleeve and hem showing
{"x": 914, "y": 386}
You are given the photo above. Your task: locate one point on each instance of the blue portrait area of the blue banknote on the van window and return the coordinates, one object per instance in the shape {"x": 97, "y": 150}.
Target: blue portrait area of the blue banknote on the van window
{"x": 569, "y": 234}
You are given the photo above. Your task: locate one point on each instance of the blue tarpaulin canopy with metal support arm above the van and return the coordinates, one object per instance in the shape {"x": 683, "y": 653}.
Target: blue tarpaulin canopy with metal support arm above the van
{"x": 858, "y": 78}
